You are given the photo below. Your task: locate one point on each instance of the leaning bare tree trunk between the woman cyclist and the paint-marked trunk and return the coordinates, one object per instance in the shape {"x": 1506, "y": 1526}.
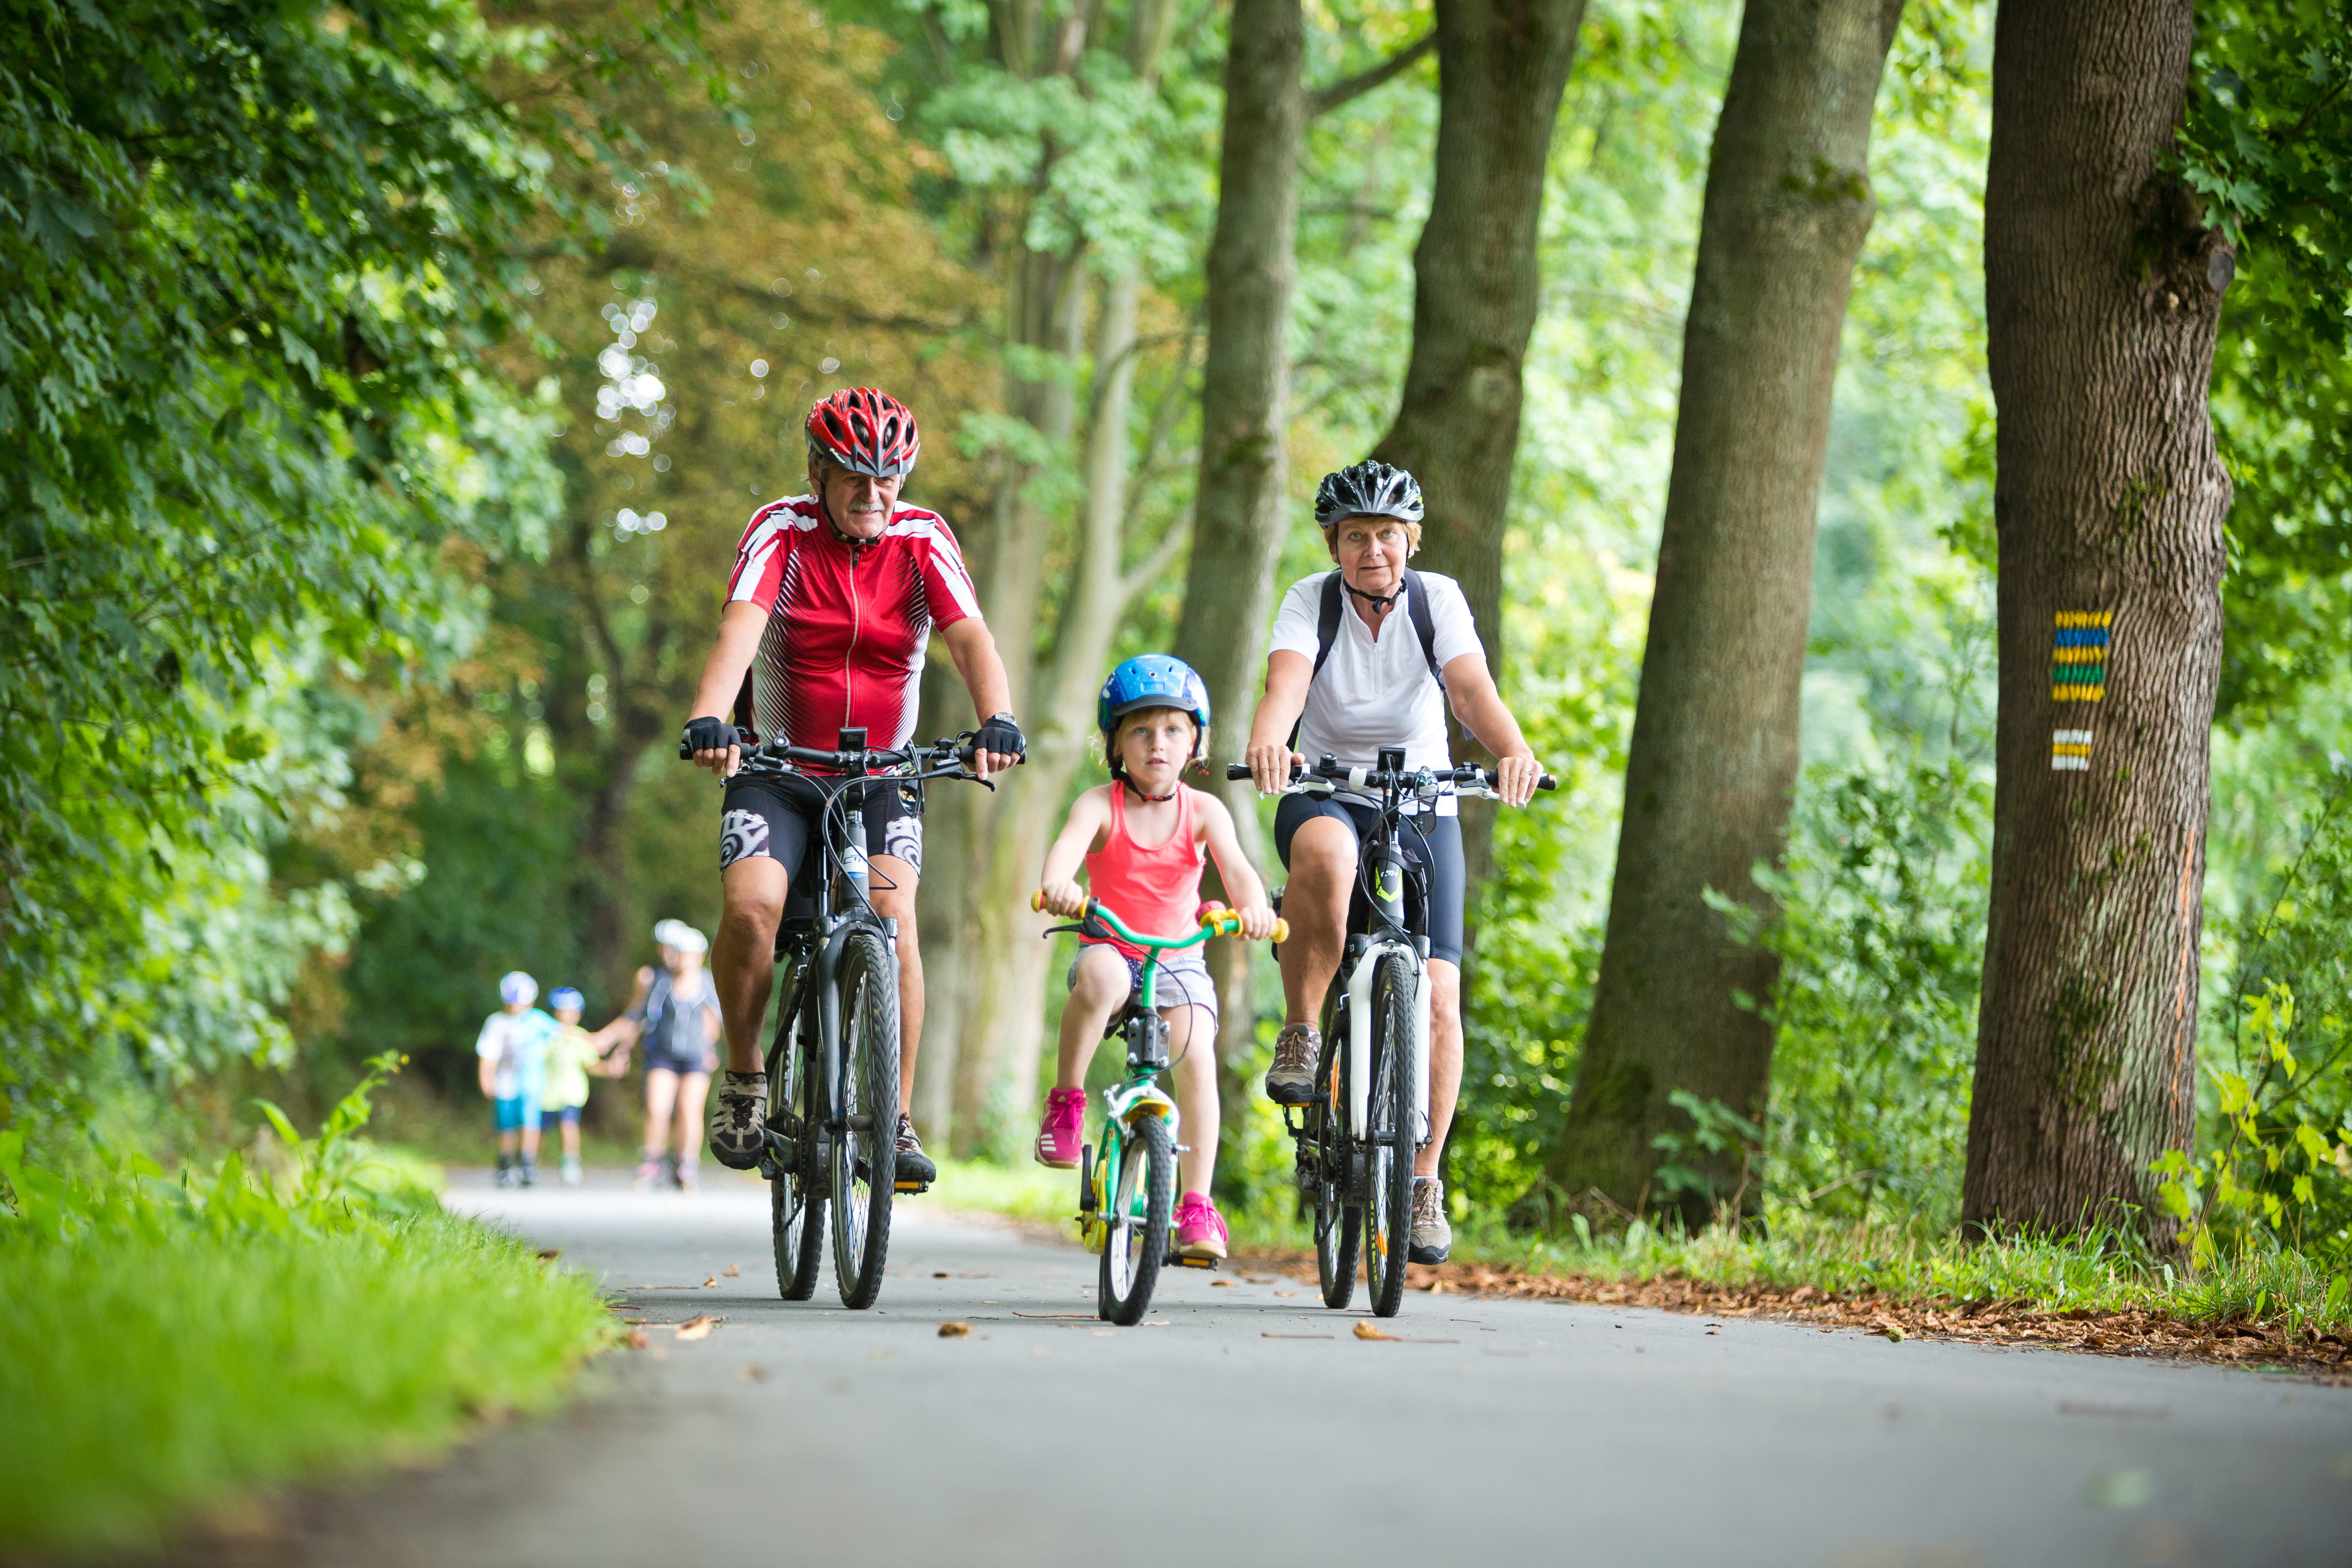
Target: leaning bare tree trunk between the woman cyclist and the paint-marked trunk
{"x": 1716, "y": 730}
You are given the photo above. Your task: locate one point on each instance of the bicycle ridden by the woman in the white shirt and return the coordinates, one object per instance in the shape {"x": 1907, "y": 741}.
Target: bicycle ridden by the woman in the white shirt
{"x": 1372, "y": 1106}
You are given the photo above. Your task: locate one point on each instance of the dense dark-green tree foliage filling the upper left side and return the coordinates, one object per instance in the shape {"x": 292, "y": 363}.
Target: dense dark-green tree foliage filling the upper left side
{"x": 258, "y": 255}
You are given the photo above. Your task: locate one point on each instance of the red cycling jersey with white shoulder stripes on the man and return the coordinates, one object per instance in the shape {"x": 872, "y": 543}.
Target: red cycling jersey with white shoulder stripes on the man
{"x": 848, "y": 624}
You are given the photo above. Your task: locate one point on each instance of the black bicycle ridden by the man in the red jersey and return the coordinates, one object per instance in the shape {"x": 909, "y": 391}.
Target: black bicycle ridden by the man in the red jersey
{"x": 834, "y": 1064}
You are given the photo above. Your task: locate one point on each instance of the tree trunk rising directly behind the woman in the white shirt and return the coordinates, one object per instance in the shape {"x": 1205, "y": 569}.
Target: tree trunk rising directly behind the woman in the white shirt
{"x": 1502, "y": 67}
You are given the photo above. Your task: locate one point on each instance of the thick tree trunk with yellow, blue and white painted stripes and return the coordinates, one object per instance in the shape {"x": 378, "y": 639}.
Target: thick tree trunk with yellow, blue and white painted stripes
{"x": 2104, "y": 300}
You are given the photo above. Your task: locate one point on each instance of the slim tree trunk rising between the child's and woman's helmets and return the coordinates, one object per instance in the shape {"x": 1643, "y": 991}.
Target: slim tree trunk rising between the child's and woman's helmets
{"x": 1238, "y": 511}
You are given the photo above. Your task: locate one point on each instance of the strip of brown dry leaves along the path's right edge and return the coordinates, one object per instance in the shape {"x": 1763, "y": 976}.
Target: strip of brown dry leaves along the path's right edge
{"x": 1984, "y": 1322}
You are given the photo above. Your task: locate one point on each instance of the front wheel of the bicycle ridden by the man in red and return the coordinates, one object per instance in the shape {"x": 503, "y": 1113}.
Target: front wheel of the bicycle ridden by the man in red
{"x": 867, "y": 1158}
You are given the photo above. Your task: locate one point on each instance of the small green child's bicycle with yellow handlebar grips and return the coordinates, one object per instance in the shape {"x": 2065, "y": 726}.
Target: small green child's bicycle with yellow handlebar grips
{"x": 1125, "y": 1198}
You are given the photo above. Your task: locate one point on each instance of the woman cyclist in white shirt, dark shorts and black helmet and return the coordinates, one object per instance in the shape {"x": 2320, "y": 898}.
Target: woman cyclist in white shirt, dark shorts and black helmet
{"x": 1349, "y": 674}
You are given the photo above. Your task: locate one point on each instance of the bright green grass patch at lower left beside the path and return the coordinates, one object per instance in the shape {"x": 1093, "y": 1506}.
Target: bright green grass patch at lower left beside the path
{"x": 171, "y": 1341}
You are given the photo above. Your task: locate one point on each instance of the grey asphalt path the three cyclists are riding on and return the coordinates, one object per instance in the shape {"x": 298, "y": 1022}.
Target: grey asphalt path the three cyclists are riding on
{"x": 1250, "y": 1426}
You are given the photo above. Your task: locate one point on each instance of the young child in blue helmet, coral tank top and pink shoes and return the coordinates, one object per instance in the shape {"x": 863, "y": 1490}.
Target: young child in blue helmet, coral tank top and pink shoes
{"x": 1144, "y": 840}
